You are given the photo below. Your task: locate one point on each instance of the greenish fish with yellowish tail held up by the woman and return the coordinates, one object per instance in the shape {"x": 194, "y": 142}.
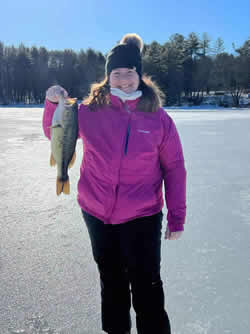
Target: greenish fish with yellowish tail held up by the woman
{"x": 64, "y": 134}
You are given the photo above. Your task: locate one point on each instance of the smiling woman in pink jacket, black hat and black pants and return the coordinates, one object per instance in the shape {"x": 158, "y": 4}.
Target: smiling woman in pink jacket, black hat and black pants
{"x": 131, "y": 146}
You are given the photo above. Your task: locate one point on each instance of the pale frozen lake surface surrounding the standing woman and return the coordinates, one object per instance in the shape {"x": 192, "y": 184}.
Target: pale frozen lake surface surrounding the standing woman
{"x": 49, "y": 282}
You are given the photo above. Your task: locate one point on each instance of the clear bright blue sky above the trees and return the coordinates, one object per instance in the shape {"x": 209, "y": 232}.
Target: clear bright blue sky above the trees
{"x": 100, "y": 24}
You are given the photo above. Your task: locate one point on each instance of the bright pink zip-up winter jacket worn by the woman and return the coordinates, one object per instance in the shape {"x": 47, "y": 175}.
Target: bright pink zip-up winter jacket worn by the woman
{"x": 127, "y": 156}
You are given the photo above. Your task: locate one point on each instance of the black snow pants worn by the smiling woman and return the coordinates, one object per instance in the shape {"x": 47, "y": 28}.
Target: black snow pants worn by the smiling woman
{"x": 128, "y": 257}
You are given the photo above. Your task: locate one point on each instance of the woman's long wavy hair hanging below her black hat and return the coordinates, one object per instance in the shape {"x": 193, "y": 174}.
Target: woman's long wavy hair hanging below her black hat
{"x": 150, "y": 101}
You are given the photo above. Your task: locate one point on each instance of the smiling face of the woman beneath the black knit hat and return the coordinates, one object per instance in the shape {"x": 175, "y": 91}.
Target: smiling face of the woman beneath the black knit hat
{"x": 126, "y": 79}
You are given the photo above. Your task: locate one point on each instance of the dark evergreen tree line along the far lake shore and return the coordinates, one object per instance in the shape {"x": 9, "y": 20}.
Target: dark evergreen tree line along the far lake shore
{"x": 184, "y": 69}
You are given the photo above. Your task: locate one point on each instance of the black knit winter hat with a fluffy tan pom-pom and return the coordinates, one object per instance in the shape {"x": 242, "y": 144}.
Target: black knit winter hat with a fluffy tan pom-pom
{"x": 126, "y": 54}
